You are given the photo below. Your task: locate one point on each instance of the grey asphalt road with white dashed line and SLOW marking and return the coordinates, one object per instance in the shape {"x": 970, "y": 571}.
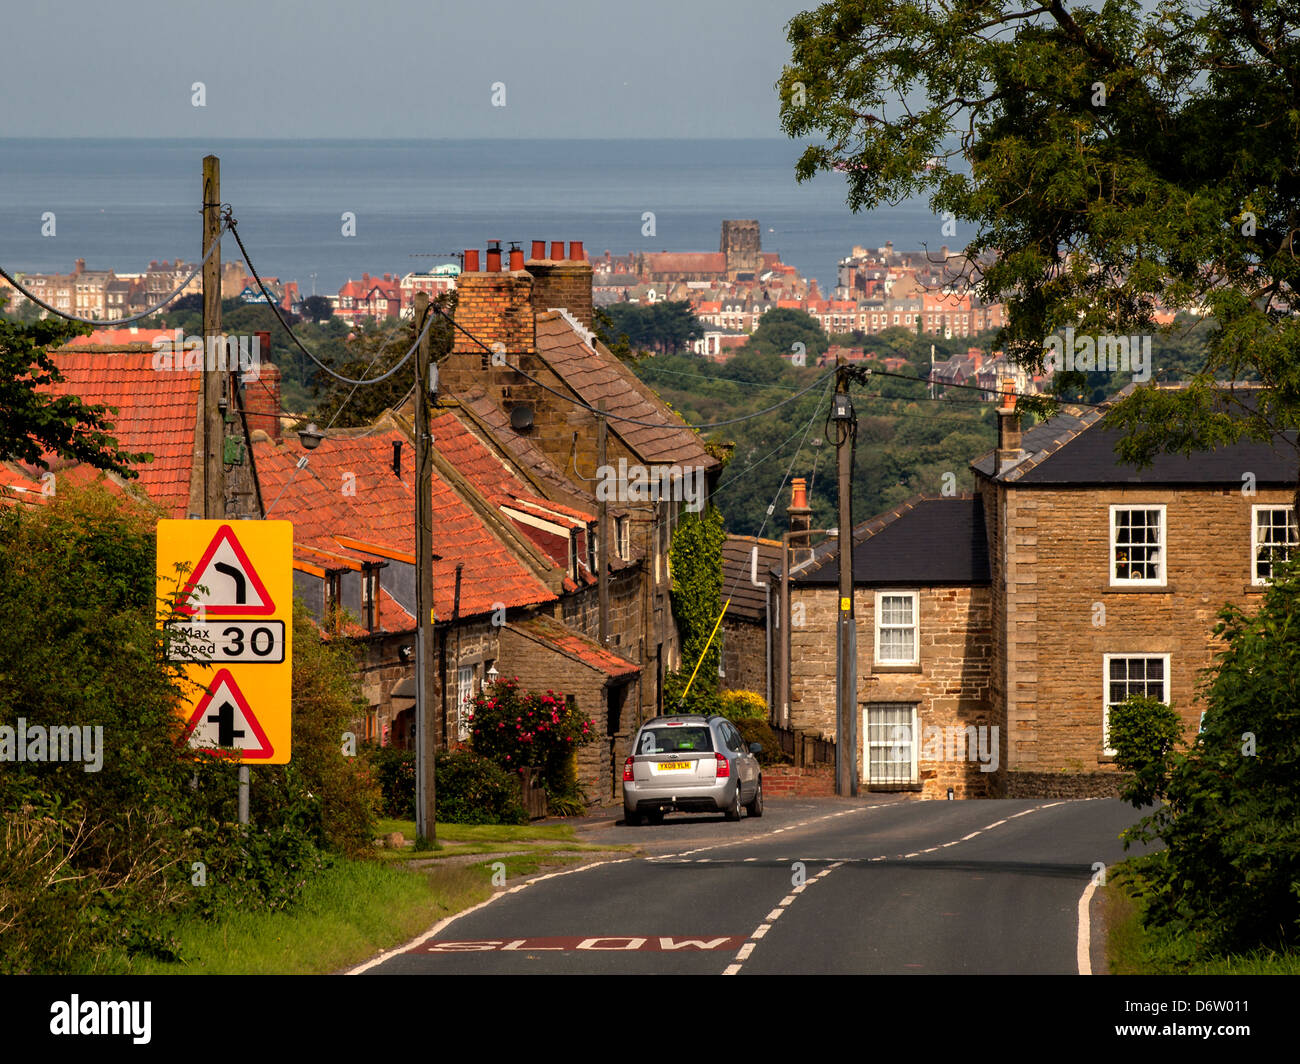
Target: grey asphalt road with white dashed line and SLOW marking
{"x": 816, "y": 886}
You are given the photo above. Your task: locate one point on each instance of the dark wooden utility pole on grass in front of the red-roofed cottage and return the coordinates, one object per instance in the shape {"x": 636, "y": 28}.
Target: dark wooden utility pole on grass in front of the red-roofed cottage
{"x": 424, "y": 737}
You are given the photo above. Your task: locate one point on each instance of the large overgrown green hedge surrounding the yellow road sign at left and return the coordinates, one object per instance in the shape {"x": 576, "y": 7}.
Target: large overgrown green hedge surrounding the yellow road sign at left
{"x": 94, "y": 859}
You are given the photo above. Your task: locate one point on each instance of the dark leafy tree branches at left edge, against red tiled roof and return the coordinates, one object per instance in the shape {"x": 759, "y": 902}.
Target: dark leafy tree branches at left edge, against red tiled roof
{"x": 34, "y": 422}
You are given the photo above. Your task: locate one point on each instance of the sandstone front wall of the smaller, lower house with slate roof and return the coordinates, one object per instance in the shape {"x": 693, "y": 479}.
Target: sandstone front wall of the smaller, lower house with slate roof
{"x": 952, "y": 686}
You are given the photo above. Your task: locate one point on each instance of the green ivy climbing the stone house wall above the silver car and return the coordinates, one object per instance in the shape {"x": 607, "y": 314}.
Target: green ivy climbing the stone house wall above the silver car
{"x": 697, "y": 583}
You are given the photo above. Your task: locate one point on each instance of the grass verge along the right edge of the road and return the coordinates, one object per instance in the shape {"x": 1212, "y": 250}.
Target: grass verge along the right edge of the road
{"x": 1134, "y": 950}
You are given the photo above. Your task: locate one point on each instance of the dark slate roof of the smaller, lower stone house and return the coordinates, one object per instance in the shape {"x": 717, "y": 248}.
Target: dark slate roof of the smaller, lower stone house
{"x": 924, "y": 542}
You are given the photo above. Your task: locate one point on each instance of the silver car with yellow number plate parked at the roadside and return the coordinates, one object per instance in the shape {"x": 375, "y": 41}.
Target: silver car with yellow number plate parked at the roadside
{"x": 691, "y": 764}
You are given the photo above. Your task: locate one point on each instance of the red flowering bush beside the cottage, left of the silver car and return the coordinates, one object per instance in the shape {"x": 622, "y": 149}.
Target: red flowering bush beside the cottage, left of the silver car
{"x": 525, "y": 730}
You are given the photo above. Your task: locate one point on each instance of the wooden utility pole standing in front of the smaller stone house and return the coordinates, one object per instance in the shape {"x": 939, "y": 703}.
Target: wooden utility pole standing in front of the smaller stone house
{"x": 847, "y": 633}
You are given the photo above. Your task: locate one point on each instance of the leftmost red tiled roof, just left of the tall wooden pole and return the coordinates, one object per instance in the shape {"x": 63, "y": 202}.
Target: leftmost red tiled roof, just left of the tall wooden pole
{"x": 157, "y": 413}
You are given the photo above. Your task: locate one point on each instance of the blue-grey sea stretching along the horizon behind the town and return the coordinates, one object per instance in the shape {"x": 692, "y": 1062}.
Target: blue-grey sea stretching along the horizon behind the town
{"x": 415, "y": 205}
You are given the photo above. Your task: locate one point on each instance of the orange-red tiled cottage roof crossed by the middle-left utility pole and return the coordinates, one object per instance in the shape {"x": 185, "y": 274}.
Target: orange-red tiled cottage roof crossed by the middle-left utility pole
{"x": 382, "y": 512}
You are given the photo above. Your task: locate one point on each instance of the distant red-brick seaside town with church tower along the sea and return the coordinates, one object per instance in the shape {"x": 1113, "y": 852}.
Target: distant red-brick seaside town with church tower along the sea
{"x": 729, "y": 292}
